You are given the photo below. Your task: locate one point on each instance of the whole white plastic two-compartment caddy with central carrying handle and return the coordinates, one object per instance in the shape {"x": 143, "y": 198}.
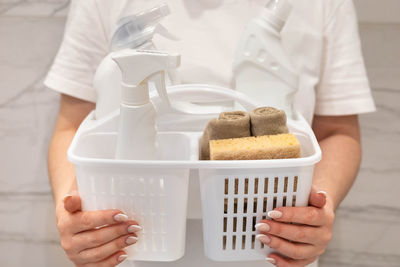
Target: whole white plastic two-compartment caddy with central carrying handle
{"x": 155, "y": 192}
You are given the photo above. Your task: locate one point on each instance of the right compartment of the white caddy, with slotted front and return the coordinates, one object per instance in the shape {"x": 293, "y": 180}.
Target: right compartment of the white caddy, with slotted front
{"x": 235, "y": 198}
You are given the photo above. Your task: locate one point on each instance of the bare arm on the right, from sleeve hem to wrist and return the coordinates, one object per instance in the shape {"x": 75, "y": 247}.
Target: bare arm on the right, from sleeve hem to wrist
{"x": 340, "y": 142}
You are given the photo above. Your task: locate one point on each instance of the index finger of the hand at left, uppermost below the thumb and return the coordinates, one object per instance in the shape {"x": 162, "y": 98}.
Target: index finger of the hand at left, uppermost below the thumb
{"x": 88, "y": 220}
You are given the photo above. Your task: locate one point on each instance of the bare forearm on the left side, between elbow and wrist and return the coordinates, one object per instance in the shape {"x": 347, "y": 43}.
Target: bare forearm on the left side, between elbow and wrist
{"x": 61, "y": 171}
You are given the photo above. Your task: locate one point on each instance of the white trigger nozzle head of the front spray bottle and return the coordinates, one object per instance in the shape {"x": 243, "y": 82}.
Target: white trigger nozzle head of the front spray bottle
{"x": 138, "y": 68}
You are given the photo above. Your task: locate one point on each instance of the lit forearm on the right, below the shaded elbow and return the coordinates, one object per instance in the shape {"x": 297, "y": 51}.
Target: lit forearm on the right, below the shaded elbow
{"x": 336, "y": 172}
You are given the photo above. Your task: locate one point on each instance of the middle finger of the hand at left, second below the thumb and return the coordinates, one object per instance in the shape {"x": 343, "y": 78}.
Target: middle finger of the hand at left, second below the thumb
{"x": 97, "y": 237}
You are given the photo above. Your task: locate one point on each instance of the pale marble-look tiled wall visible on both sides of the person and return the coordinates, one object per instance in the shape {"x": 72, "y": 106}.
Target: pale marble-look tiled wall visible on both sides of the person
{"x": 367, "y": 230}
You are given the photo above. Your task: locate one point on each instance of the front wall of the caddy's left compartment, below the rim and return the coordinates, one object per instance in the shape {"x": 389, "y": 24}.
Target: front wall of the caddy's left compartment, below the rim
{"x": 144, "y": 199}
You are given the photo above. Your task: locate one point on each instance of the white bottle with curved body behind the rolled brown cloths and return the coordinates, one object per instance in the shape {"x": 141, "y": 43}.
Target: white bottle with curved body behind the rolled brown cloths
{"x": 262, "y": 68}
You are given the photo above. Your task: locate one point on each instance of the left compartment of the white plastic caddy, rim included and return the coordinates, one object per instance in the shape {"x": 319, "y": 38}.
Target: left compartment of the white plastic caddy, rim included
{"x": 154, "y": 196}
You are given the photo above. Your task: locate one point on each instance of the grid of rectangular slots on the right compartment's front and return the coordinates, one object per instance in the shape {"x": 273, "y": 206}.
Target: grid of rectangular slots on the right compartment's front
{"x": 246, "y": 201}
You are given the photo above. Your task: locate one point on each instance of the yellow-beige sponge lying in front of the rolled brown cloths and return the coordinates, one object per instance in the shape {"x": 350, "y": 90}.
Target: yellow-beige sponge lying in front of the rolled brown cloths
{"x": 279, "y": 146}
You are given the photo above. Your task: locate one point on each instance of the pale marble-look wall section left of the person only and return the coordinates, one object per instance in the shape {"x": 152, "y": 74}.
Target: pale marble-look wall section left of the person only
{"x": 28, "y": 236}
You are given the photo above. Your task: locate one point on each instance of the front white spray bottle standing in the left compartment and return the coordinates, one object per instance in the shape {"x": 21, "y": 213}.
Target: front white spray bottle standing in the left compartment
{"x": 137, "y": 123}
